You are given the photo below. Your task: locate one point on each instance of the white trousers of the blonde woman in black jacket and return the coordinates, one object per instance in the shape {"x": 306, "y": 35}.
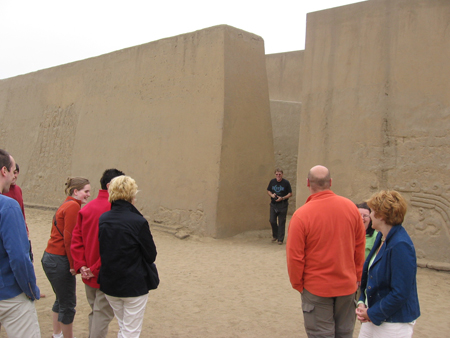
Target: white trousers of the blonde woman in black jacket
{"x": 129, "y": 312}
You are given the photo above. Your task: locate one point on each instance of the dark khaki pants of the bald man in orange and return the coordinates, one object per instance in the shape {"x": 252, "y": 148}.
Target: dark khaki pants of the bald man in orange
{"x": 328, "y": 317}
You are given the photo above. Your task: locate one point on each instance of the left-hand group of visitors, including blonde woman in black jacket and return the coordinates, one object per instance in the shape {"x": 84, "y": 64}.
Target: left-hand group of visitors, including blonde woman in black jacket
{"x": 108, "y": 242}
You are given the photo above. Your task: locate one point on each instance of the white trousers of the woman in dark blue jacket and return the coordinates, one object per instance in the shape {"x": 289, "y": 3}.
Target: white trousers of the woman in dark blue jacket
{"x": 386, "y": 330}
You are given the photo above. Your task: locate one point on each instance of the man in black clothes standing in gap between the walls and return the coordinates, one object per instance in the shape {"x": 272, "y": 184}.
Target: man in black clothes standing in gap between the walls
{"x": 279, "y": 191}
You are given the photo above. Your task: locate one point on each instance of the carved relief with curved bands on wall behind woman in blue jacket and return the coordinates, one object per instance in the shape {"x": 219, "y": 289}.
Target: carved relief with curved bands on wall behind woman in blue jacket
{"x": 428, "y": 219}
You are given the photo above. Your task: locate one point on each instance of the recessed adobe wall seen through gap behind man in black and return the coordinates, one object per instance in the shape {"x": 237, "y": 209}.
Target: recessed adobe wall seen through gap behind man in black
{"x": 284, "y": 74}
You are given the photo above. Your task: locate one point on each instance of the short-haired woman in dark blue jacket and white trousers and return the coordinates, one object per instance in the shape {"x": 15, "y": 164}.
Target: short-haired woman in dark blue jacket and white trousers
{"x": 389, "y": 304}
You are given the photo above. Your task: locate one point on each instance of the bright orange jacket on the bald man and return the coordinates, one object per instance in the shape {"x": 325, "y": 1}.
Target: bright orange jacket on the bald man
{"x": 325, "y": 246}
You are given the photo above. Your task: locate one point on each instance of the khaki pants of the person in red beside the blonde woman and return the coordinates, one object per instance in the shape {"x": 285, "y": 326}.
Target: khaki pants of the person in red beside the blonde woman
{"x": 101, "y": 313}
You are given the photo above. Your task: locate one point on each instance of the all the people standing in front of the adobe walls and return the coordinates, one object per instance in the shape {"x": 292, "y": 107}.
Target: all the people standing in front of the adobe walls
{"x": 334, "y": 248}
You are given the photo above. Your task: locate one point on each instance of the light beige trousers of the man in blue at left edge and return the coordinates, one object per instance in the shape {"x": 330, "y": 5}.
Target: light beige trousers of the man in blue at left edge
{"x": 19, "y": 318}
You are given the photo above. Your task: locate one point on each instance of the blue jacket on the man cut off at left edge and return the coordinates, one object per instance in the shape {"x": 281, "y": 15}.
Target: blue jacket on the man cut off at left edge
{"x": 16, "y": 270}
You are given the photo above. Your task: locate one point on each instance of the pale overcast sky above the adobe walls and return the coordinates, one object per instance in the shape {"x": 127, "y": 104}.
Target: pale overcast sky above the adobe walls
{"x": 41, "y": 34}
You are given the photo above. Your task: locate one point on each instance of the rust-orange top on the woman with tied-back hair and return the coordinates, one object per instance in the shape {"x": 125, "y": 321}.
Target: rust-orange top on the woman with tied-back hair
{"x": 66, "y": 219}
